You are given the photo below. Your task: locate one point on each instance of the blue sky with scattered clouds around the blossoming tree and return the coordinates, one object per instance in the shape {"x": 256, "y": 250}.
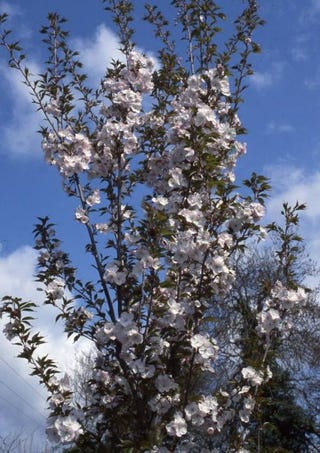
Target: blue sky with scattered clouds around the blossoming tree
{"x": 281, "y": 113}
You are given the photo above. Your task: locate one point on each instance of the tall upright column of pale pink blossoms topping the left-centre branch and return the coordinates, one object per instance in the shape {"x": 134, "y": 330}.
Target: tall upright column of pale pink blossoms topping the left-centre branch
{"x": 123, "y": 114}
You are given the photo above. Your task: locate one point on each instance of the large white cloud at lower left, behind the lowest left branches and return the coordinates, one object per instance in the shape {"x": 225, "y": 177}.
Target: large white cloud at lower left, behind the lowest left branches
{"x": 22, "y": 408}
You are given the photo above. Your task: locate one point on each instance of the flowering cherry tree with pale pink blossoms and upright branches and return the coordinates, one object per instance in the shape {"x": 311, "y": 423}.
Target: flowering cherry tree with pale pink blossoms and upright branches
{"x": 149, "y": 158}
